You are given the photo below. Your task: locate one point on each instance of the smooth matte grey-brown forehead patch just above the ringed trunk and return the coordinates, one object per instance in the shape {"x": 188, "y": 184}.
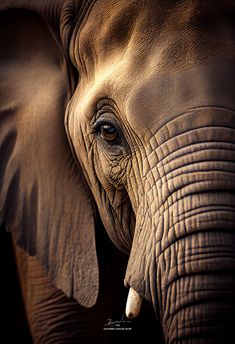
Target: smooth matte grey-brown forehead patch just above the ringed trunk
{"x": 153, "y": 102}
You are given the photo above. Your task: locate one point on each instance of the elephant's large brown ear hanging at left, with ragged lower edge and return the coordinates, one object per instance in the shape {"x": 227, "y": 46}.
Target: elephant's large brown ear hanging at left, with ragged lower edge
{"x": 44, "y": 199}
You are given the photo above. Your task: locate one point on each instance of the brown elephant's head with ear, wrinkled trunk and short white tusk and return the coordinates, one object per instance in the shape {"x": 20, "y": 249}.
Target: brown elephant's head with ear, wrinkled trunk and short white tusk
{"x": 124, "y": 111}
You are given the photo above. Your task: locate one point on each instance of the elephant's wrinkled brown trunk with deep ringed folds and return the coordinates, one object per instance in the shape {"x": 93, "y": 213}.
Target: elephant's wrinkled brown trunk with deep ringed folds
{"x": 183, "y": 253}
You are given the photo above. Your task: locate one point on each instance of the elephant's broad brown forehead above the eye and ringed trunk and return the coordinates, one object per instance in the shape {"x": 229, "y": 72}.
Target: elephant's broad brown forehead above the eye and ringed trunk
{"x": 157, "y": 59}
